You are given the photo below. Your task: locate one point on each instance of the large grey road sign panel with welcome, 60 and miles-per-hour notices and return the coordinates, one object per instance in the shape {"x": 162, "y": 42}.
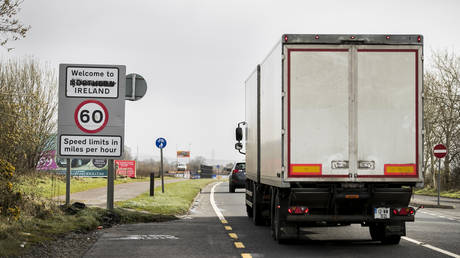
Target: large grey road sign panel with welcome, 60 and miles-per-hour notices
{"x": 91, "y": 115}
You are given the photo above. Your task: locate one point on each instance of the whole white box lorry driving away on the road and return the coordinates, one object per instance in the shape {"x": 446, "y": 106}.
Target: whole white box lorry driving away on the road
{"x": 333, "y": 133}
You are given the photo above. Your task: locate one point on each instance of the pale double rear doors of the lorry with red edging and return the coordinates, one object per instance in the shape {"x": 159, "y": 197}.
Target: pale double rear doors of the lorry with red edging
{"x": 352, "y": 112}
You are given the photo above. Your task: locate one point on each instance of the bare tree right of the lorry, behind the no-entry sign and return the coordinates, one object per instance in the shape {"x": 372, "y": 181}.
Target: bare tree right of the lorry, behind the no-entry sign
{"x": 442, "y": 111}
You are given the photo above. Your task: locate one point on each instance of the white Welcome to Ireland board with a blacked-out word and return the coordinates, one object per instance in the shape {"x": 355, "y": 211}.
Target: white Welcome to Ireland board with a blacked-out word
{"x": 92, "y": 82}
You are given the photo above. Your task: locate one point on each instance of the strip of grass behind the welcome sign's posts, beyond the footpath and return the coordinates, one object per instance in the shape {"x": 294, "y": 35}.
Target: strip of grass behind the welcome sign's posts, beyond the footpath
{"x": 49, "y": 186}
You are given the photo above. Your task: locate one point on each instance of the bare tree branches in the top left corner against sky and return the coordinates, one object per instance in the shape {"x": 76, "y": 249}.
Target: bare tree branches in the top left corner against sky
{"x": 10, "y": 27}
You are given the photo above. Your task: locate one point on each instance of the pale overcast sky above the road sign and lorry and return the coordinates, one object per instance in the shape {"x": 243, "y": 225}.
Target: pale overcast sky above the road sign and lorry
{"x": 195, "y": 55}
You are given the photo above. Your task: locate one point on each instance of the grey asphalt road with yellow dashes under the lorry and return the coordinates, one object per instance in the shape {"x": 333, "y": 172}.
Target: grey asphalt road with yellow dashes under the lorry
{"x": 203, "y": 234}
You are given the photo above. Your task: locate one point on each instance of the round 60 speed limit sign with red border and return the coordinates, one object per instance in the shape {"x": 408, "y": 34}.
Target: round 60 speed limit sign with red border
{"x": 91, "y": 116}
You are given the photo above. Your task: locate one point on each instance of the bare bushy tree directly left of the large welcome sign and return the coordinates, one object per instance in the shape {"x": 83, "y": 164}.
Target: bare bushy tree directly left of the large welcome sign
{"x": 27, "y": 111}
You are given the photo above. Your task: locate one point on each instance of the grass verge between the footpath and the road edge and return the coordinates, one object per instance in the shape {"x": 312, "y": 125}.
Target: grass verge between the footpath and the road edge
{"x": 175, "y": 201}
